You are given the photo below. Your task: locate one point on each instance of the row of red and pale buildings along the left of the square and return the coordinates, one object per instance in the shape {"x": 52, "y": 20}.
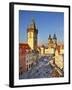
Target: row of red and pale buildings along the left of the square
{"x": 27, "y": 57}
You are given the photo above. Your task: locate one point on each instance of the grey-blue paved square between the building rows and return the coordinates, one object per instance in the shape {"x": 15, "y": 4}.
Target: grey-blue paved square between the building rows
{"x": 42, "y": 69}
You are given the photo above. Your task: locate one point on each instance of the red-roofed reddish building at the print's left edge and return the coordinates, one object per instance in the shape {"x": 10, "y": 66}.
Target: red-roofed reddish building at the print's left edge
{"x": 23, "y": 50}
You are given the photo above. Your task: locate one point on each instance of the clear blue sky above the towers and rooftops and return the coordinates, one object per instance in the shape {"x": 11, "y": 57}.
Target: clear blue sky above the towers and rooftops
{"x": 46, "y": 22}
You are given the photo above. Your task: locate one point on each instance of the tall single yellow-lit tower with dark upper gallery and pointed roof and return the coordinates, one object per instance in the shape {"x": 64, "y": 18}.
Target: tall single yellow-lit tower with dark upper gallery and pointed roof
{"x": 32, "y": 35}
